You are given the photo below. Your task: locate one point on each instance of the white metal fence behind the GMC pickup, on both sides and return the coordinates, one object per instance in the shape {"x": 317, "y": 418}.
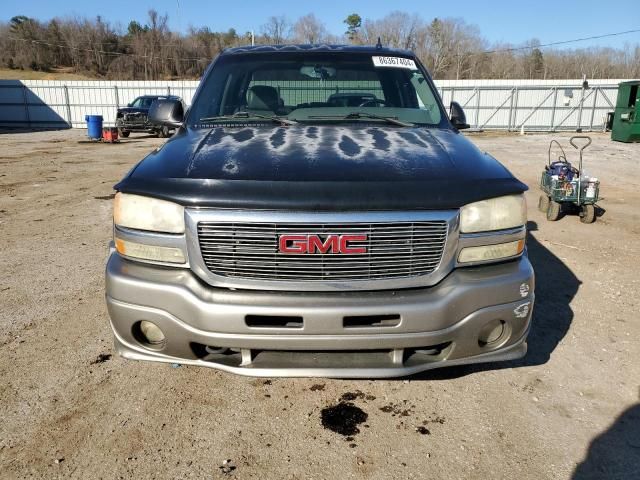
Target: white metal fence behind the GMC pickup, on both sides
{"x": 535, "y": 105}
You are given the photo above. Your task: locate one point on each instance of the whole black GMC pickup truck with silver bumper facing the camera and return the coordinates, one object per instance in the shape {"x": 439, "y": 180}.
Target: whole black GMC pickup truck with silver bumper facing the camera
{"x": 318, "y": 213}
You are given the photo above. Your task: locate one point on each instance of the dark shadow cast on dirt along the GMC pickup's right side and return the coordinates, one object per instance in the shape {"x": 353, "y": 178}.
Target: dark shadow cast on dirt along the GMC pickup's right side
{"x": 556, "y": 286}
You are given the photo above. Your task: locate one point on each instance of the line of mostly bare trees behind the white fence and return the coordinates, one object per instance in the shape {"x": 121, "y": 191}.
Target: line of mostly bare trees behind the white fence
{"x": 449, "y": 47}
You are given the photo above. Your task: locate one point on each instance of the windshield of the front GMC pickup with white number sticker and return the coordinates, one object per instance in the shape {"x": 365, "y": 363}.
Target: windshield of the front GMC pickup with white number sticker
{"x": 310, "y": 87}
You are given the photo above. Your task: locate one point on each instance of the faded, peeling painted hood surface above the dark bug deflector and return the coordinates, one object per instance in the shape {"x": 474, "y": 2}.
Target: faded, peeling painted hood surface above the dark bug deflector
{"x": 319, "y": 153}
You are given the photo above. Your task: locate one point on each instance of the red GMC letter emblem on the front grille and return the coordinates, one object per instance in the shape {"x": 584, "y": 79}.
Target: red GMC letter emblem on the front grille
{"x": 302, "y": 244}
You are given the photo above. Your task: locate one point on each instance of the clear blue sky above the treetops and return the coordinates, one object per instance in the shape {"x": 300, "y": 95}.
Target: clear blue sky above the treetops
{"x": 499, "y": 21}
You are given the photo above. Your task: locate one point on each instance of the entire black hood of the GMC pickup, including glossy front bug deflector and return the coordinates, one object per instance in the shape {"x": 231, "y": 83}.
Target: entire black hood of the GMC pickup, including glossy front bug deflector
{"x": 322, "y": 168}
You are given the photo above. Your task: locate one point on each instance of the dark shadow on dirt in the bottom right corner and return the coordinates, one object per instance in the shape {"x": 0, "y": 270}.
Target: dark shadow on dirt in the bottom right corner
{"x": 614, "y": 454}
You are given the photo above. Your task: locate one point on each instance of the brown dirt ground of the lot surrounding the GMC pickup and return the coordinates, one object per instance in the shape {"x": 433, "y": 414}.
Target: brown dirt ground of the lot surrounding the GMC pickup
{"x": 68, "y": 408}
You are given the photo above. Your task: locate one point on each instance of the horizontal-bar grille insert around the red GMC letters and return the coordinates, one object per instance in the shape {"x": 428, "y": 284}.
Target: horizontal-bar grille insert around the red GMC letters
{"x": 244, "y": 250}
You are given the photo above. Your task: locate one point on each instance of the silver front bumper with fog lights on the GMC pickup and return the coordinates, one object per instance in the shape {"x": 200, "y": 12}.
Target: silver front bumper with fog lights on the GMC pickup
{"x": 437, "y": 326}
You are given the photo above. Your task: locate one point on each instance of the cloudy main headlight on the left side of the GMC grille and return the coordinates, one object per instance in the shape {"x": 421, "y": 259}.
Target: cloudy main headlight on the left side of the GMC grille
{"x": 146, "y": 213}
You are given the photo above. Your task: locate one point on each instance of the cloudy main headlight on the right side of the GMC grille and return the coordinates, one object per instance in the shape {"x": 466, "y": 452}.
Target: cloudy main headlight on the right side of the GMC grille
{"x": 494, "y": 214}
